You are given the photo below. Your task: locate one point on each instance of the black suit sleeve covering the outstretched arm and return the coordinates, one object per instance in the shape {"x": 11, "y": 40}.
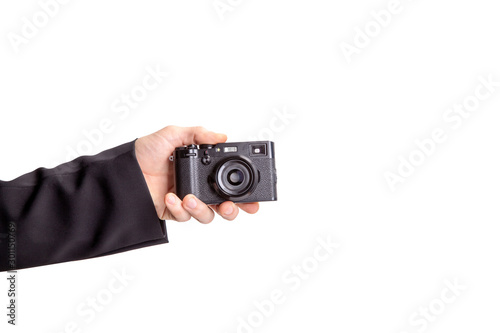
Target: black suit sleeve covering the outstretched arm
{"x": 90, "y": 207}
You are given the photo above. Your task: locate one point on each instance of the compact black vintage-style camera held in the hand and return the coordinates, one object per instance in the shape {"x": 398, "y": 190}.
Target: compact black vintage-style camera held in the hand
{"x": 237, "y": 171}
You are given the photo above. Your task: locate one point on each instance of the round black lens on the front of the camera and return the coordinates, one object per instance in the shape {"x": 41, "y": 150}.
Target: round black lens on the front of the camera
{"x": 235, "y": 178}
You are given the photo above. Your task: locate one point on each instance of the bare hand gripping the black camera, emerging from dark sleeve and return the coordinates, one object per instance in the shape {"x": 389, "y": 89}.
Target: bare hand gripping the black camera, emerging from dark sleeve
{"x": 152, "y": 153}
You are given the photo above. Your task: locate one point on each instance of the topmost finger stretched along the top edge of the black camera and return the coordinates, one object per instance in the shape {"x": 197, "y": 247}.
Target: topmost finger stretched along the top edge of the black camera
{"x": 198, "y": 135}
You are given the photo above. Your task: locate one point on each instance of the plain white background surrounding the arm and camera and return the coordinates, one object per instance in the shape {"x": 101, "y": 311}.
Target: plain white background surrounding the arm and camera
{"x": 349, "y": 123}
